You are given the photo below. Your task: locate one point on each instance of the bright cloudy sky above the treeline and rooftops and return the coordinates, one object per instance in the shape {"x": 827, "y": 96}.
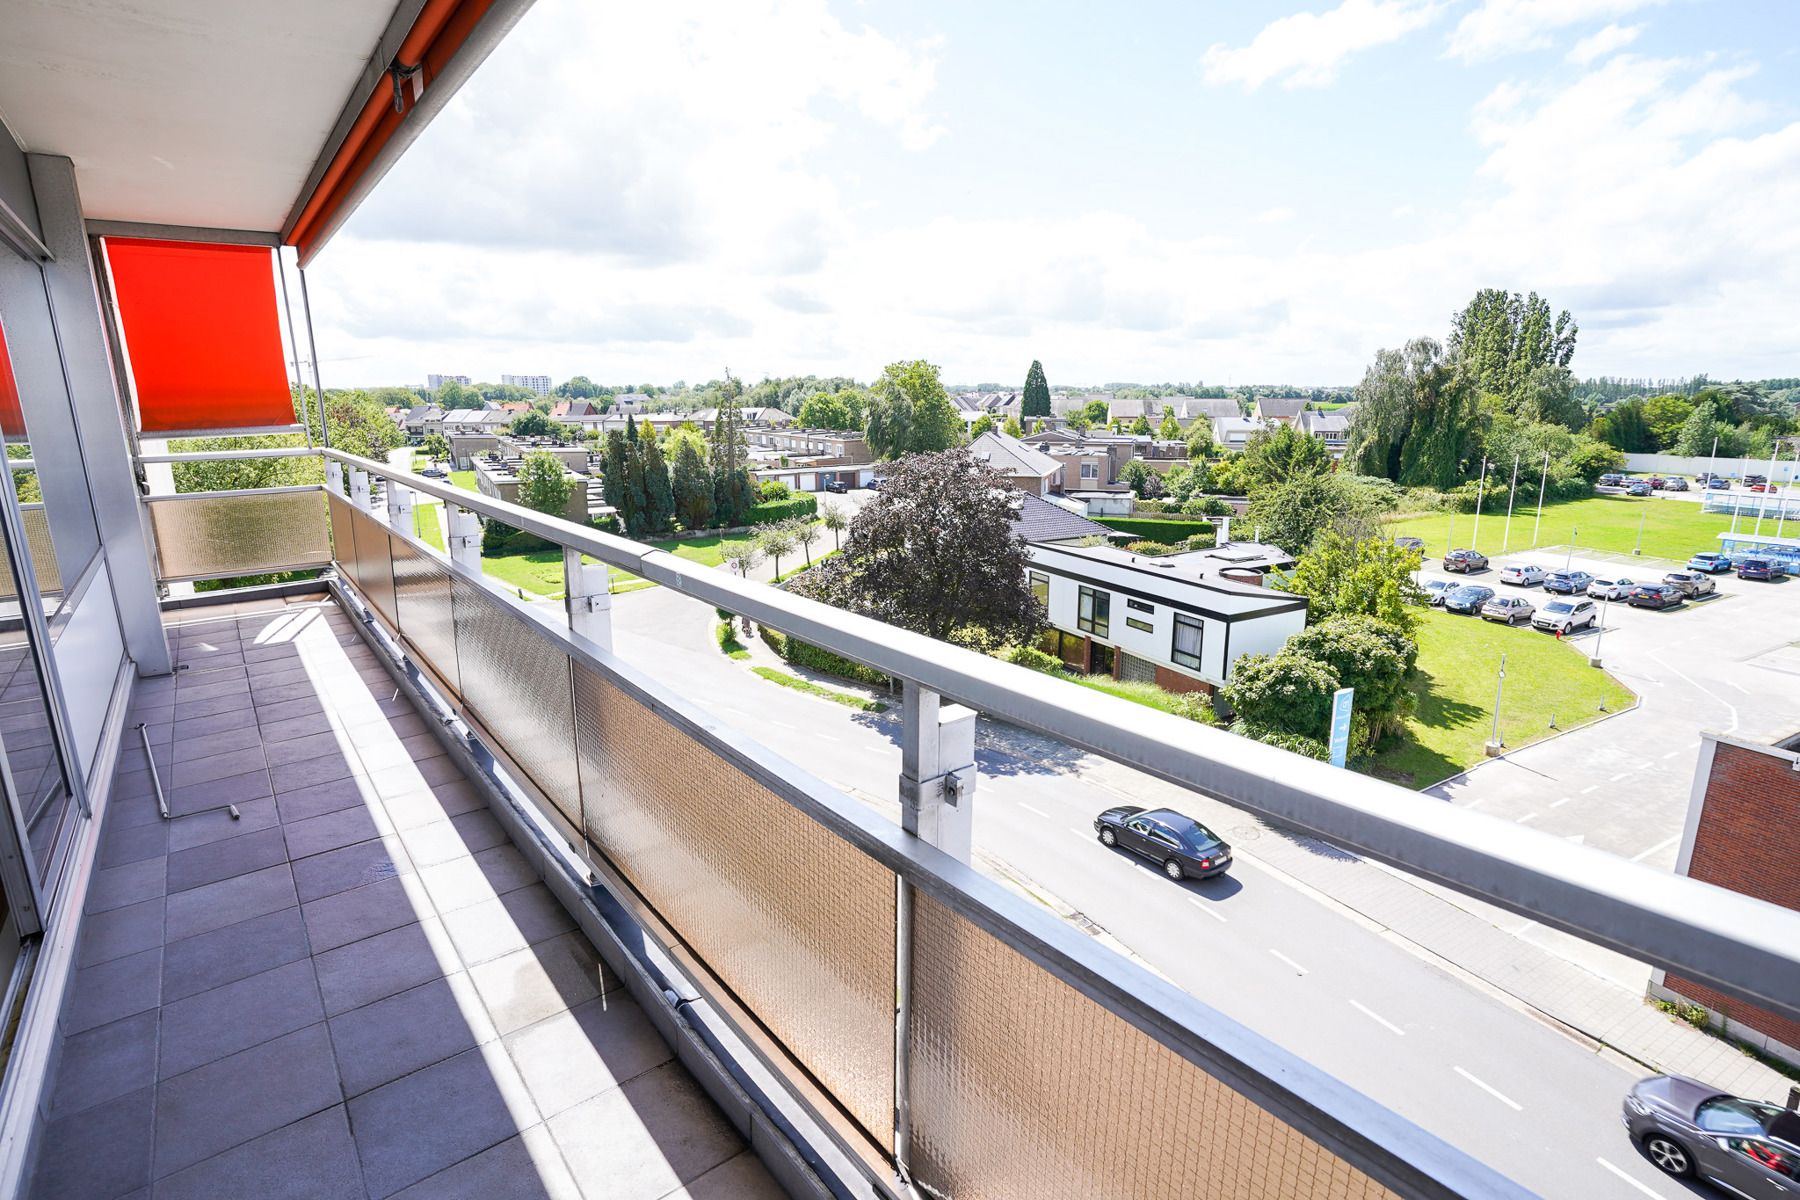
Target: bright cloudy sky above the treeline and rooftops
{"x": 1203, "y": 192}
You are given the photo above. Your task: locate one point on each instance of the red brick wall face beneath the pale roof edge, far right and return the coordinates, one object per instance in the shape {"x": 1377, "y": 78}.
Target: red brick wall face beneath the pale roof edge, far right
{"x": 1745, "y": 843}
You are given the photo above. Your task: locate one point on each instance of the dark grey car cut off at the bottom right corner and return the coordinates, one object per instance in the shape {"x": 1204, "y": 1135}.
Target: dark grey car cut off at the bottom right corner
{"x": 1687, "y": 1129}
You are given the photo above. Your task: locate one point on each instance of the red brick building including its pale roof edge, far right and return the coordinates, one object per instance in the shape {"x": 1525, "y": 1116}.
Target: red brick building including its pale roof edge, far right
{"x": 1740, "y": 836}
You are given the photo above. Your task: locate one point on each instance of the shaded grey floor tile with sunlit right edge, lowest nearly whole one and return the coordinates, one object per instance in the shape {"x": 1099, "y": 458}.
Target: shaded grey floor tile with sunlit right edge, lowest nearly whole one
{"x": 474, "y": 1100}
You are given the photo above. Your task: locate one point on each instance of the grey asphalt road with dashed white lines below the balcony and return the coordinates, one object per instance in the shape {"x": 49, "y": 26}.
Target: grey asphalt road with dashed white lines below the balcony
{"x": 1288, "y": 963}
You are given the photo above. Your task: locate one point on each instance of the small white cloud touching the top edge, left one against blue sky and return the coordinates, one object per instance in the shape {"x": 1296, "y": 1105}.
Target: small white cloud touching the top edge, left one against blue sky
{"x": 1306, "y": 49}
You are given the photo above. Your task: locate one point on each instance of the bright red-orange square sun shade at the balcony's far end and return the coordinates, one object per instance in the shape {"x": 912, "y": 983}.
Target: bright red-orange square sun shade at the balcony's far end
{"x": 202, "y": 336}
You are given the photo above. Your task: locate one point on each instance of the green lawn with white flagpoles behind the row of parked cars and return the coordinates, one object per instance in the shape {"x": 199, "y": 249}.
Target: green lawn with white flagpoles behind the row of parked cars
{"x": 1673, "y": 530}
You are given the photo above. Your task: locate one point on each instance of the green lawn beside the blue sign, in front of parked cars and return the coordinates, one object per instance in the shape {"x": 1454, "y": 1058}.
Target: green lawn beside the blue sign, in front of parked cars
{"x": 1459, "y": 663}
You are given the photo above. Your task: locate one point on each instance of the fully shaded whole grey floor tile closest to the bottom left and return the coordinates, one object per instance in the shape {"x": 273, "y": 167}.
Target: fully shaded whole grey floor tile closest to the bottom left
{"x": 231, "y": 1102}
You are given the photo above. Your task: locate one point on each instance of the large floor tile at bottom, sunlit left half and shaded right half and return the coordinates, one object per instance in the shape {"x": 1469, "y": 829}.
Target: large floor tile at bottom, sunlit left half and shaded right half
{"x": 647, "y": 1138}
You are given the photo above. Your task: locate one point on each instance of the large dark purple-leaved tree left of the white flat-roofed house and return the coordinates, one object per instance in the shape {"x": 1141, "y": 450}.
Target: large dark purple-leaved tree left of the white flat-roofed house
{"x": 937, "y": 553}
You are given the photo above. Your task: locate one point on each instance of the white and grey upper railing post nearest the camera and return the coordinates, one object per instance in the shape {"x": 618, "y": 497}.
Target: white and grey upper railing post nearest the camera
{"x": 937, "y": 771}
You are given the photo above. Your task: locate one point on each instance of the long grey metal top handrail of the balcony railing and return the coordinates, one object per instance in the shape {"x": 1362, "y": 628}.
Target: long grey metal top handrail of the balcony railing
{"x": 1741, "y": 945}
